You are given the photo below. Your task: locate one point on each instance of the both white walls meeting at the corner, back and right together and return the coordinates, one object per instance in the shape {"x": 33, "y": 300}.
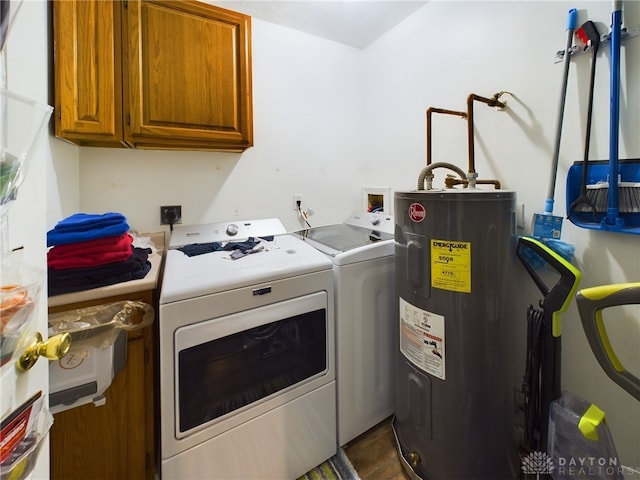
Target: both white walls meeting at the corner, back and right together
{"x": 330, "y": 119}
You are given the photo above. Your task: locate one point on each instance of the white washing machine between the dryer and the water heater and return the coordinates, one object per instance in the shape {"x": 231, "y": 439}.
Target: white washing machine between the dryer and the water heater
{"x": 362, "y": 251}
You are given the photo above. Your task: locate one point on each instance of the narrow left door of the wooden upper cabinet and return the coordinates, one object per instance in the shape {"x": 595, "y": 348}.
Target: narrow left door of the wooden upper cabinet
{"x": 88, "y": 72}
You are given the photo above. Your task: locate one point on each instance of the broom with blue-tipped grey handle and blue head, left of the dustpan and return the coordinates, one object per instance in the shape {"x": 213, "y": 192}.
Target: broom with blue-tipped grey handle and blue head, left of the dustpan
{"x": 546, "y": 226}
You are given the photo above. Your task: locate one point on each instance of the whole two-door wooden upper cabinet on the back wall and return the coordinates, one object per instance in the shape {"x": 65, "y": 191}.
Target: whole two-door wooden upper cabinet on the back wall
{"x": 180, "y": 76}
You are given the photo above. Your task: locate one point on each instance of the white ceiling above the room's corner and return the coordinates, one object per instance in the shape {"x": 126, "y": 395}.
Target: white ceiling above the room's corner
{"x": 352, "y": 22}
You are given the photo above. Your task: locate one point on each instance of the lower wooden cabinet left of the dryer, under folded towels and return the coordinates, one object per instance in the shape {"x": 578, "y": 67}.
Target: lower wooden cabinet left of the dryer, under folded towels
{"x": 115, "y": 440}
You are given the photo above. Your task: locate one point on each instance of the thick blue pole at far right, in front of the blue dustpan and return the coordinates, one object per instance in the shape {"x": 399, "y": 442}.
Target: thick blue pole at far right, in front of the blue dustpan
{"x": 614, "y": 118}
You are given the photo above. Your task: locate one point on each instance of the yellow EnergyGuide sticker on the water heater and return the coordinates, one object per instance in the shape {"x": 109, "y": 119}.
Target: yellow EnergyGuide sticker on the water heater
{"x": 451, "y": 265}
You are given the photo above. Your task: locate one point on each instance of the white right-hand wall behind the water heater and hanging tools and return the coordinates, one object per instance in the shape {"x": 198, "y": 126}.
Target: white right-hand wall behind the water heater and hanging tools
{"x": 448, "y": 50}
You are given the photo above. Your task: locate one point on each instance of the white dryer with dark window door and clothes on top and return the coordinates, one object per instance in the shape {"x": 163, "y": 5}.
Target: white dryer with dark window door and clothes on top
{"x": 247, "y": 355}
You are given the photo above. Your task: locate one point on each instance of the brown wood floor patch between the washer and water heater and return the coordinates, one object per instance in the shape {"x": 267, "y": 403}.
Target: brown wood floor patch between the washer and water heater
{"x": 374, "y": 455}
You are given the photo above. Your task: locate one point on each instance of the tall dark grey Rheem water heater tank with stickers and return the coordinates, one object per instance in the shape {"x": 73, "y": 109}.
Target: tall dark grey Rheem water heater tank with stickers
{"x": 454, "y": 257}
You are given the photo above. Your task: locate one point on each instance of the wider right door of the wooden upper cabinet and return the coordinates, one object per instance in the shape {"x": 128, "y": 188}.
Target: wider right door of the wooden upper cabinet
{"x": 187, "y": 76}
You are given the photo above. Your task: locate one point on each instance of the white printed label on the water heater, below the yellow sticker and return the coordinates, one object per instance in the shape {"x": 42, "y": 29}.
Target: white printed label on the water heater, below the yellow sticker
{"x": 422, "y": 338}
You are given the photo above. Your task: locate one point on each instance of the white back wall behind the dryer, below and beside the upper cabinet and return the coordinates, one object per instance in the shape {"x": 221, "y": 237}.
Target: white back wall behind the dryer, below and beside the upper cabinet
{"x": 308, "y": 130}
